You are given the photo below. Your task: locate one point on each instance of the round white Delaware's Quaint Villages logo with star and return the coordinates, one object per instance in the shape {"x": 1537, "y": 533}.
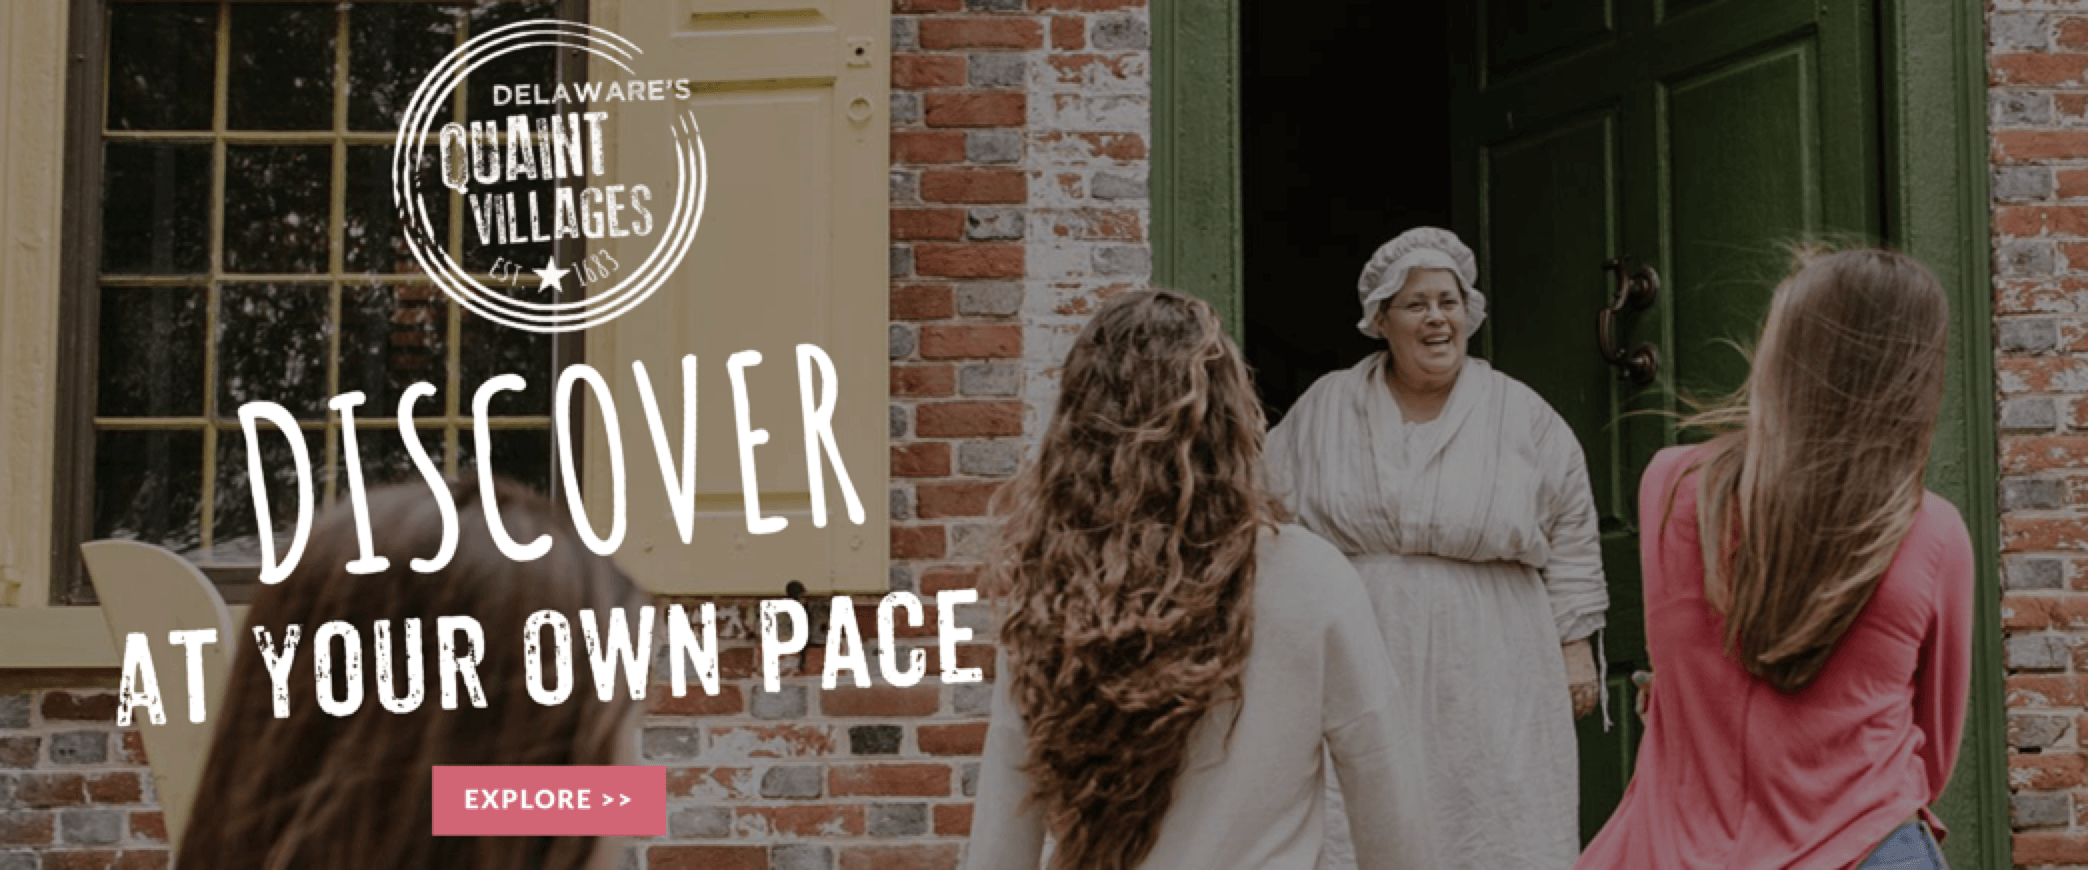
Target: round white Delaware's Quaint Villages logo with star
{"x": 531, "y": 176}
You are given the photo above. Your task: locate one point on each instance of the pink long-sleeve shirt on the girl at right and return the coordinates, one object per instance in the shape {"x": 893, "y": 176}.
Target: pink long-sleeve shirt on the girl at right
{"x": 1736, "y": 775}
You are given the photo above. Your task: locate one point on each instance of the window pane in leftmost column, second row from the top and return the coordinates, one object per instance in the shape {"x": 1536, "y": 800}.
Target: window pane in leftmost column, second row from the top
{"x": 156, "y": 208}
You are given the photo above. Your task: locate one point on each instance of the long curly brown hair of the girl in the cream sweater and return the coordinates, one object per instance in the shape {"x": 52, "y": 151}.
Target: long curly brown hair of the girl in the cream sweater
{"x": 1126, "y": 571}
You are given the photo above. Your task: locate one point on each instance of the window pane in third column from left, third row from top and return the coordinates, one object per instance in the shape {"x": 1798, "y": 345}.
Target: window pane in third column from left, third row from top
{"x": 391, "y": 339}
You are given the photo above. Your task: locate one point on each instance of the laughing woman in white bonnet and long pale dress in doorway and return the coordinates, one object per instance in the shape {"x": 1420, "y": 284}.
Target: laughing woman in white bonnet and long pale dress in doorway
{"x": 1463, "y": 502}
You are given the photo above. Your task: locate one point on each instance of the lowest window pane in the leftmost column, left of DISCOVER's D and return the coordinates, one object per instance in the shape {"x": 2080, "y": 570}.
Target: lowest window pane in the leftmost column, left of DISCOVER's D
{"x": 149, "y": 487}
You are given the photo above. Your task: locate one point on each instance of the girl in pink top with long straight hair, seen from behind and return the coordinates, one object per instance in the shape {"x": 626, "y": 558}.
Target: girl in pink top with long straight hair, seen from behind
{"x": 1807, "y": 600}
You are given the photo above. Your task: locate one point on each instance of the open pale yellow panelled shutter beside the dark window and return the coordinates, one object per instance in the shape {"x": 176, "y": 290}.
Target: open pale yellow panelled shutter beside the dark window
{"x": 792, "y": 101}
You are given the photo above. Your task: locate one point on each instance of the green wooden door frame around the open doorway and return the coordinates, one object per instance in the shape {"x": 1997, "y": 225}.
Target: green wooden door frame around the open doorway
{"x": 1935, "y": 126}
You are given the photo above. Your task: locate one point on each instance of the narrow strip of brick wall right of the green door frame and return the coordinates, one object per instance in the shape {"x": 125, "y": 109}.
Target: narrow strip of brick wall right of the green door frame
{"x": 2039, "y": 99}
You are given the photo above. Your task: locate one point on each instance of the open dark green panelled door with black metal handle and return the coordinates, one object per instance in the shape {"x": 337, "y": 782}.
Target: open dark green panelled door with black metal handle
{"x": 1692, "y": 137}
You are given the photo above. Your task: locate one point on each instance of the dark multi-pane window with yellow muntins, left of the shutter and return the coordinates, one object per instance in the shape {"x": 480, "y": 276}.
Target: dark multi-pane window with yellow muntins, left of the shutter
{"x": 250, "y": 251}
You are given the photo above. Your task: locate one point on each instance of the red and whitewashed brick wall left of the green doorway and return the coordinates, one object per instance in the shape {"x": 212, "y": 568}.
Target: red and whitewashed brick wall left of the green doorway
{"x": 1018, "y": 199}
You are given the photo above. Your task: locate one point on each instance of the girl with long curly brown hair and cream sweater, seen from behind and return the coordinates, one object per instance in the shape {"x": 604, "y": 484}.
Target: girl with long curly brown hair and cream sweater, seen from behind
{"x": 1177, "y": 660}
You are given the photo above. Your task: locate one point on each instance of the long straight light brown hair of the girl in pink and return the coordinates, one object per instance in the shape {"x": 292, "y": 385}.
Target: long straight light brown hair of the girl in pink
{"x": 1809, "y": 493}
